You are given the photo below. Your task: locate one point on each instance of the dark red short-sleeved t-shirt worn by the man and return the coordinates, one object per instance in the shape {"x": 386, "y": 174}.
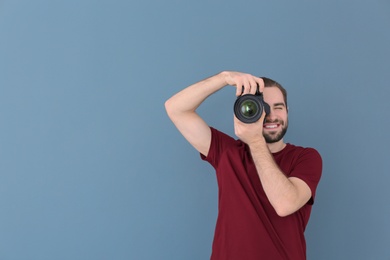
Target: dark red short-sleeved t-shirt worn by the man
{"x": 247, "y": 225}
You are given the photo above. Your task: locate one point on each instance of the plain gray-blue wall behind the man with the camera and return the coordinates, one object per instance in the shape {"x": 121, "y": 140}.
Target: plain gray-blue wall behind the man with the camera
{"x": 91, "y": 167}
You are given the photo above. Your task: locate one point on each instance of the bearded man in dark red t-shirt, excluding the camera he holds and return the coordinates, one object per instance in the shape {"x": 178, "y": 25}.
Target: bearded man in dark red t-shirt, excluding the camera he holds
{"x": 266, "y": 186}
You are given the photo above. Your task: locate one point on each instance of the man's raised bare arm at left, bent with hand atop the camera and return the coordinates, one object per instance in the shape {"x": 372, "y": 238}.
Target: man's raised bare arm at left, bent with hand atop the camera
{"x": 181, "y": 107}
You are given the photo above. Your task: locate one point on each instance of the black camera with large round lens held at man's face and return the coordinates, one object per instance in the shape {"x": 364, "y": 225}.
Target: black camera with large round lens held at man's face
{"x": 249, "y": 108}
